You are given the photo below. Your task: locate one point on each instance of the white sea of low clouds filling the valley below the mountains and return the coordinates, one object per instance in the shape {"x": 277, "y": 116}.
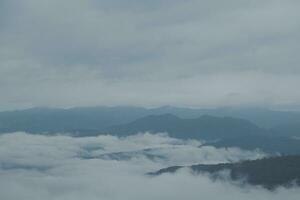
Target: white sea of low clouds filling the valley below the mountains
{"x": 106, "y": 167}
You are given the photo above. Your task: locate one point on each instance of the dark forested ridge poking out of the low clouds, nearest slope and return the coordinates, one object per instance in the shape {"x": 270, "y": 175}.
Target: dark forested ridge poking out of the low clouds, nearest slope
{"x": 268, "y": 172}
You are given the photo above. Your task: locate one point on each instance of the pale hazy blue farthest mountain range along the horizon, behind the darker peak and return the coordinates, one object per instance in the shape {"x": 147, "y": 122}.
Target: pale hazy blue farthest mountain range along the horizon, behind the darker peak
{"x": 100, "y": 118}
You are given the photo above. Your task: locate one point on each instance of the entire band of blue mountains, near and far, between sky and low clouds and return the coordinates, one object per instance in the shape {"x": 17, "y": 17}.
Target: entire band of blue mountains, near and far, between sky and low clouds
{"x": 271, "y": 131}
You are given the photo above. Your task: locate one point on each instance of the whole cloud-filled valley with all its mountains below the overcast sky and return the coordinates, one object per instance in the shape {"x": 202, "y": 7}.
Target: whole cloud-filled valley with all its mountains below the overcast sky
{"x": 138, "y": 153}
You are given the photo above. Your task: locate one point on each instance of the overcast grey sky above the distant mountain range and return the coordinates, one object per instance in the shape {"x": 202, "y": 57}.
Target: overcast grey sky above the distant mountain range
{"x": 66, "y": 53}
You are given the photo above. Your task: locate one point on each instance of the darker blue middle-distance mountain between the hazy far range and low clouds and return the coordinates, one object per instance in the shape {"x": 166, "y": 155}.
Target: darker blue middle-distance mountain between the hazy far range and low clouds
{"x": 217, "y": 131}
